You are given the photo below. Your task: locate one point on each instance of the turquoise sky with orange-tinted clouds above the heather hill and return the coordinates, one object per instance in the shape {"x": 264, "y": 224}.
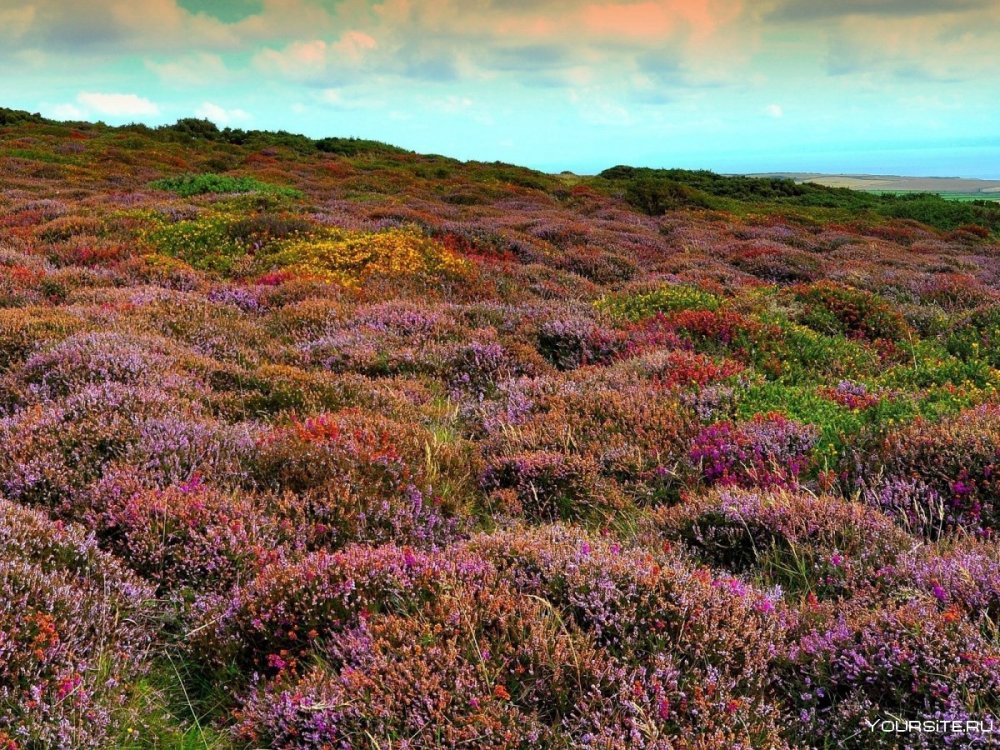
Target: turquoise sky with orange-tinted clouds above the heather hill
{"x": 844, "y": 86}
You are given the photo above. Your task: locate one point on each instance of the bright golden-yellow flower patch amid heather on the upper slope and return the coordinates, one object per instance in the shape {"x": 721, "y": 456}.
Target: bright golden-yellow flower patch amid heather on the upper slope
{"x": 350, "y": 258}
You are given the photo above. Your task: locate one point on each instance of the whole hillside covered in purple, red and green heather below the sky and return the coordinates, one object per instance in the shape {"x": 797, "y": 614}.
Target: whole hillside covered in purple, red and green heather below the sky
{"x": 317, "y": 444}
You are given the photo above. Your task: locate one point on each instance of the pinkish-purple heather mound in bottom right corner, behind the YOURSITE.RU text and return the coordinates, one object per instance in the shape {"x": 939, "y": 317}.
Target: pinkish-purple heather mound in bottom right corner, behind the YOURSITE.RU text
{"x": 909, "y": 662}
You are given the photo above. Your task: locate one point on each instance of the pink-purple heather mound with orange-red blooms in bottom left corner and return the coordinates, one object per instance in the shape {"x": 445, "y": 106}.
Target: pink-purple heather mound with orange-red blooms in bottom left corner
{"x": 74, "y": 630}
